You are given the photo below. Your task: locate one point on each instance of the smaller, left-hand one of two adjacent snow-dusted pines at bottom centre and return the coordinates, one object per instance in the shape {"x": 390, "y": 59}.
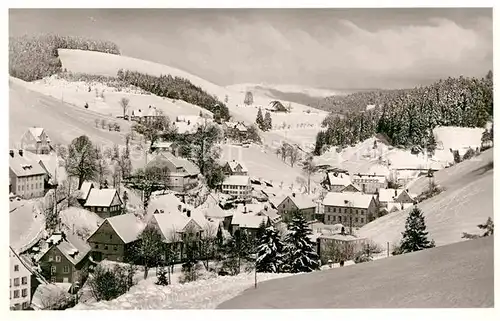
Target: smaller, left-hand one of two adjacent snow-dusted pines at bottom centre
{"x": 269, "y": 252}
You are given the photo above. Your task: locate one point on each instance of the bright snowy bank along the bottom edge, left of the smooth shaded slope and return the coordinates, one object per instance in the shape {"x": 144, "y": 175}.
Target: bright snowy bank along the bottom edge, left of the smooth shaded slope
{"x": 203, "y": 294}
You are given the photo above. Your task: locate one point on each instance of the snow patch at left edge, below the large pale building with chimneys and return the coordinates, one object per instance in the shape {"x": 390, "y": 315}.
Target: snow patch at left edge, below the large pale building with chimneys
{"x": 26, "y": 224}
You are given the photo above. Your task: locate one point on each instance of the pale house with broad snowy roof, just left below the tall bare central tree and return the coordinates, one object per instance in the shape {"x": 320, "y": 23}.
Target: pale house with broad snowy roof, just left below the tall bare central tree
{"x": 182, "y": 174}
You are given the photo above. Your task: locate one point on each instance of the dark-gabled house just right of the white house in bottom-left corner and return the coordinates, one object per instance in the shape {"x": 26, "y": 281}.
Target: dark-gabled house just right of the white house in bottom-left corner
{"x": 65, "y": 259}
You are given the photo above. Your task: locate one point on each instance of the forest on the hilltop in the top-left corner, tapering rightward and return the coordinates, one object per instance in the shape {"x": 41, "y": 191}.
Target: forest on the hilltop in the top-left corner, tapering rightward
{"x": 36, "y": 57}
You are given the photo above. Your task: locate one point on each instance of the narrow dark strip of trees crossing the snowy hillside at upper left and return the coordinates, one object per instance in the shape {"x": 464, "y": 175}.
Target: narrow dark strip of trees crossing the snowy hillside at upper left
{"x": 176, "y": 88}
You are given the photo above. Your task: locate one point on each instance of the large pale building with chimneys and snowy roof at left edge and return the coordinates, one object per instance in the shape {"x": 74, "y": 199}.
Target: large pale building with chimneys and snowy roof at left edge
{"x": 27, "y": 177}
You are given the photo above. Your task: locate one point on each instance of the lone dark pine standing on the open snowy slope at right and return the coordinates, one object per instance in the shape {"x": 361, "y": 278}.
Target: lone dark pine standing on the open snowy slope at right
{"x": 415, "y": 234}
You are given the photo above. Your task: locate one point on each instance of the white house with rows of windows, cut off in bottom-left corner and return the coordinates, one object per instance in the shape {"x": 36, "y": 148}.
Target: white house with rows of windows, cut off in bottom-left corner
{"x": 20, "y": 282}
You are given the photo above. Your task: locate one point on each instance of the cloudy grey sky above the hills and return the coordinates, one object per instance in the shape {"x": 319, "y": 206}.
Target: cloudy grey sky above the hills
{"x": 330, "y": 48}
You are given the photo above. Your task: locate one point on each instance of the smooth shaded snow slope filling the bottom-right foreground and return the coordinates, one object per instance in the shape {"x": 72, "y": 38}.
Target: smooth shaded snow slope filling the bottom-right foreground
{"x": 435, "y": 278}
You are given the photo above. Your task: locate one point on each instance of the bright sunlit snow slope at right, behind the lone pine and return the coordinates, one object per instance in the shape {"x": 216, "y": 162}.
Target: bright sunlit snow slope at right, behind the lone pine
{"x": 466, "y": 202}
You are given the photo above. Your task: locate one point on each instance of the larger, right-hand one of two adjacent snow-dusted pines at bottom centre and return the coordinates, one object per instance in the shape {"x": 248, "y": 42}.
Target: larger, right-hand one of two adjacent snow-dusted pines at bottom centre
{"x": 299, "y": 253}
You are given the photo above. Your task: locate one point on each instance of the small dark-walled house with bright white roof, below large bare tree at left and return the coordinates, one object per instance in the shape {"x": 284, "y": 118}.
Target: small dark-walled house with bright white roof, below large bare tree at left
{"x": 104, "y": 202}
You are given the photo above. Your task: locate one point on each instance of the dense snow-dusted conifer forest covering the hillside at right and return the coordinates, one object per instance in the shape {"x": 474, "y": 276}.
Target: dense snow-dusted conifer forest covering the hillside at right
{"x": 407, "y": 117}
